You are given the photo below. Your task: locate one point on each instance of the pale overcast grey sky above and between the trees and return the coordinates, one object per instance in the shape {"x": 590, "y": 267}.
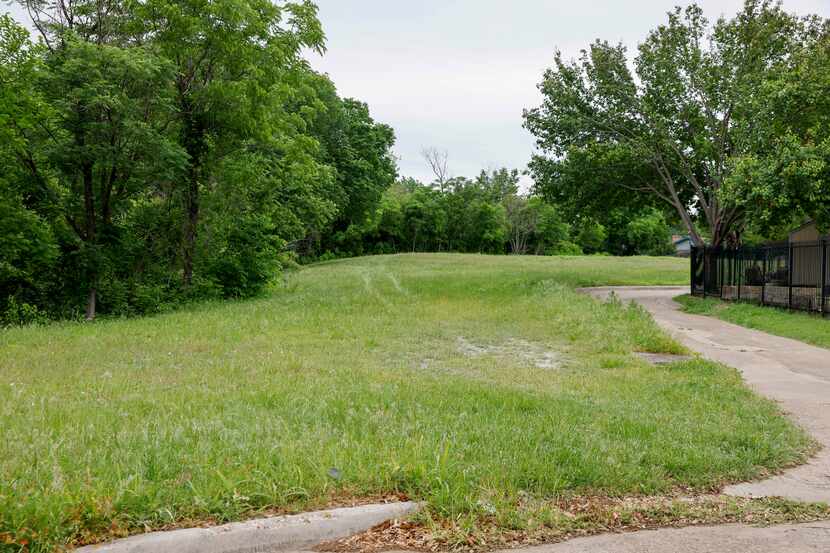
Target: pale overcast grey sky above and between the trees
{"x": 456, "y": 74}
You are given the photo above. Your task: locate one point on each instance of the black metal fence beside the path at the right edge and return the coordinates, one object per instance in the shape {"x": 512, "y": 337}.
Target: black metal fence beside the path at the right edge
{"x": 792, "y": 275}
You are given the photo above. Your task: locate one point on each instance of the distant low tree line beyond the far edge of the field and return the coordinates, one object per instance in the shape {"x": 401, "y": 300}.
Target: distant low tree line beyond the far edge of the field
{"x": 488, "y": 214}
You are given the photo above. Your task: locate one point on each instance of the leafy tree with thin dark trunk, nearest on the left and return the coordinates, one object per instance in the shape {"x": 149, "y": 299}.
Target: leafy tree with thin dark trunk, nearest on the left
{"x": 107, "y": 145}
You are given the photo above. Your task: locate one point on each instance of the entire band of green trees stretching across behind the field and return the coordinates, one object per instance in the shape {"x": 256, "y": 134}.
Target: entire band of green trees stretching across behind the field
{"x": 161, "y": 151}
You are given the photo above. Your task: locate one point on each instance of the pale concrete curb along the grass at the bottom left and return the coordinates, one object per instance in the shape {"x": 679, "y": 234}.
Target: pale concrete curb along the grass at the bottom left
{"x": 284, "y": 533}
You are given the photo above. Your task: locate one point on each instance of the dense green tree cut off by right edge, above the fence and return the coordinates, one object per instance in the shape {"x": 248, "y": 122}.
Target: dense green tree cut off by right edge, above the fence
{"x": 787, "y": 177}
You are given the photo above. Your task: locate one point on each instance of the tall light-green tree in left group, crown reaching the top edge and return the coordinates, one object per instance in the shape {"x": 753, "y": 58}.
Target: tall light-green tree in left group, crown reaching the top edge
{"x": 231, "y": 57}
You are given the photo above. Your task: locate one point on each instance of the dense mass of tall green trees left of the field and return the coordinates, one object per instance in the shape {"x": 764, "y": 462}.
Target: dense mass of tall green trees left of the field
{"x": 157, "y": 152}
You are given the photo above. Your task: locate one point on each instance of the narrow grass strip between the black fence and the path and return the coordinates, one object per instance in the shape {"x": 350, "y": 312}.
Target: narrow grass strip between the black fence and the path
{"x": 807, "y": 327}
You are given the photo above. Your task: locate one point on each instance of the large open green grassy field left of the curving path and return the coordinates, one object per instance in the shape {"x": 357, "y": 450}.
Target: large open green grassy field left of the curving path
{"x": 485, "y": 386}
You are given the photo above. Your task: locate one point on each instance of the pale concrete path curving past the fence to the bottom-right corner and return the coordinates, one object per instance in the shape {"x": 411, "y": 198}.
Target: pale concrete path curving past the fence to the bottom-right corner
{"x": 795, "y": 375}
